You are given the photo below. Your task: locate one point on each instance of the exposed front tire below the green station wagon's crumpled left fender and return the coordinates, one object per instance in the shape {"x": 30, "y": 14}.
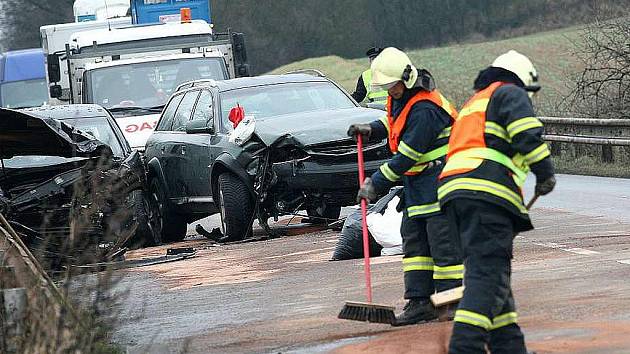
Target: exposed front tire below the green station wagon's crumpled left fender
{"x": 235, "y": 206}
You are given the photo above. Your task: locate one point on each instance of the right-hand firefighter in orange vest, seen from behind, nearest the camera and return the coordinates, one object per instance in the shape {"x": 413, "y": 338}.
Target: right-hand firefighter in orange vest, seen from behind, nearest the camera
{"x": 494, "y": 142}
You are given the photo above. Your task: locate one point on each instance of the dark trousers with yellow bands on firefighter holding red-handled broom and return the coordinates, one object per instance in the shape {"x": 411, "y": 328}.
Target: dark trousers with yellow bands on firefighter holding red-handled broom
{"x": 431, "y": 262}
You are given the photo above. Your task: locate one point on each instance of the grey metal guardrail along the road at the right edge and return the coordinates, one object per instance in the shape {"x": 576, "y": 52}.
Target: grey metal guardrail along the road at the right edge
{"x": 607, "y": 132}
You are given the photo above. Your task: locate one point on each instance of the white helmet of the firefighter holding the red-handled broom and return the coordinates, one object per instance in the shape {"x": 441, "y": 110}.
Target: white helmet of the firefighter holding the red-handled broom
{"x": 391, "y": 66}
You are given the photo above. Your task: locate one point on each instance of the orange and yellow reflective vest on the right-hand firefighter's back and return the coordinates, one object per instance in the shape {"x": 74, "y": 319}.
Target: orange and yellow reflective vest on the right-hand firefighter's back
{"x": 467, "y": 148}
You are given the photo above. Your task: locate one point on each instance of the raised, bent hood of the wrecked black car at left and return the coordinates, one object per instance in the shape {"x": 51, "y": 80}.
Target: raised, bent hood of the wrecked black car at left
{"x": 24, "y": 134}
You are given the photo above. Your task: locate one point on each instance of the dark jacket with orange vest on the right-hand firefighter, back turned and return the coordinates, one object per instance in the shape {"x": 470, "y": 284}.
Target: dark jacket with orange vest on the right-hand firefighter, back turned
{"x": 495, "y": 141}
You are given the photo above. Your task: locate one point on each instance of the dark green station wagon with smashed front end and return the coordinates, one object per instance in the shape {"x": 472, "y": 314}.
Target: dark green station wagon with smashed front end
{"x": 256, "y": 148}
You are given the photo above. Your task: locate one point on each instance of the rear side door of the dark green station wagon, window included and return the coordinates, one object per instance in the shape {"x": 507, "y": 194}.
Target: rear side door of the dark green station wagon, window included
{"x": 177, "y": 160}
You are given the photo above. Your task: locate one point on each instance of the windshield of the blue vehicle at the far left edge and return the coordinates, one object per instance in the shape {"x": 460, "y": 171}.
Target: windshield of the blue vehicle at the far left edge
{"x": 23, "y": 94}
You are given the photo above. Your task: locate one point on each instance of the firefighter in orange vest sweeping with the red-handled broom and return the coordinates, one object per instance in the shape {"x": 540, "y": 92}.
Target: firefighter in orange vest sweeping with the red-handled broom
{"x": 417, "y": 126}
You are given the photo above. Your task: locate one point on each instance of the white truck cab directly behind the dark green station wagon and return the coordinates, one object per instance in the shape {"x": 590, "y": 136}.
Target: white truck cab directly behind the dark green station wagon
{"x": 132, "y": 71}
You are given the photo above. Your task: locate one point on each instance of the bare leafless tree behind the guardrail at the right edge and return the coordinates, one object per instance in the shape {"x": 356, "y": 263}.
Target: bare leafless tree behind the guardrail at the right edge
{"x": 602, "y": 89}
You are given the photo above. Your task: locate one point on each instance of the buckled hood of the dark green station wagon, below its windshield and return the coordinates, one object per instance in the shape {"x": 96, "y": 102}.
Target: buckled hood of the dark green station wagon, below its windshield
{"x": 313, "y": 127}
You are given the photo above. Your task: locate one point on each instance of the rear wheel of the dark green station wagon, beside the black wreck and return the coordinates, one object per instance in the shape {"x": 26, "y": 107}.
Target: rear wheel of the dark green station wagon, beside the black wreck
{"x": 168, "y": 226}
